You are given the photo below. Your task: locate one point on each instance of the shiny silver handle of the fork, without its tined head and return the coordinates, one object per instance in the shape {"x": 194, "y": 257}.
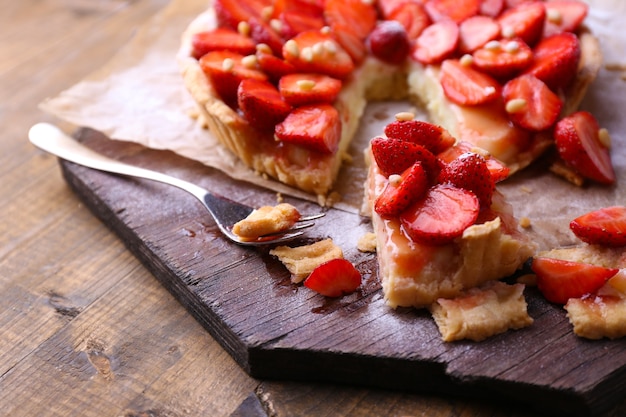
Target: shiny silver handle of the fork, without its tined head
{"x": 51, "y": 139}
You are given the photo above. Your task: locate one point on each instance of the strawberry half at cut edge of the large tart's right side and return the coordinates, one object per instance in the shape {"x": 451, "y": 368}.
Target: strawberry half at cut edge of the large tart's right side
{"x": 466, "y": 86}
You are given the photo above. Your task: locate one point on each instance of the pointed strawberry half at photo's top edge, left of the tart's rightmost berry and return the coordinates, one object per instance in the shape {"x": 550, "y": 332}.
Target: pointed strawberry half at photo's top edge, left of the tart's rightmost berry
{"x": 524, "y": 21}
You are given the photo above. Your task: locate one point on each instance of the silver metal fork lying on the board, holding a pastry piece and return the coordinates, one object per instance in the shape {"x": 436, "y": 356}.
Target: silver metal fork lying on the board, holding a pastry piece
{"x": 225, "y": 212}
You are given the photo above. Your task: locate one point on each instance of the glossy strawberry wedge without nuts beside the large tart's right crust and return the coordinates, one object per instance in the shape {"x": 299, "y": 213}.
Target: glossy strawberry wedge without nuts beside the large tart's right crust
{"x": 556, "y": 60}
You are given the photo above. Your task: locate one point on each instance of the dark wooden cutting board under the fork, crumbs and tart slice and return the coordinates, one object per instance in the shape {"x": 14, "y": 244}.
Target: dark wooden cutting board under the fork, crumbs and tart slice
{"x": 277, "y": 330}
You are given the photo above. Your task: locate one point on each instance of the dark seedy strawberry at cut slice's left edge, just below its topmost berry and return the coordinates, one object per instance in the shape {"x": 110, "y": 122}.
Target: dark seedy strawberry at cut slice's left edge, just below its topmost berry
{"x": 393, "y": 156}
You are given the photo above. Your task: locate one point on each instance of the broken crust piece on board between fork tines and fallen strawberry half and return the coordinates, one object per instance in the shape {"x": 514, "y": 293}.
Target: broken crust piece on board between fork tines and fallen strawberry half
{"x": 302, "y": 260}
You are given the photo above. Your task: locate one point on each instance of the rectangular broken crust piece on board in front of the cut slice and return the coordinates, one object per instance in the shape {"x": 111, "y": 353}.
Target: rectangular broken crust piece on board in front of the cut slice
{"x": 482, "y": 312}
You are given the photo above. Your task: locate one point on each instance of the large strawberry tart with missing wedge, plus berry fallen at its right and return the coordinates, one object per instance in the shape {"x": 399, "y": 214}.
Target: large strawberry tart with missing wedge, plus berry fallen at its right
{"x": 283, "y": 83}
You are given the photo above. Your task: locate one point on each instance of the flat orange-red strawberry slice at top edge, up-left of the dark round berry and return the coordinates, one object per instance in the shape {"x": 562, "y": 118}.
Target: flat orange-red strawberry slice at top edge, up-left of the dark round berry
{"x": 358, "y": 15}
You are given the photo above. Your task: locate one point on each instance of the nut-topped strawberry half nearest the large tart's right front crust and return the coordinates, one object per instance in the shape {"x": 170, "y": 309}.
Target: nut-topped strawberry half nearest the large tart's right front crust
{"x": 530, "y": 103}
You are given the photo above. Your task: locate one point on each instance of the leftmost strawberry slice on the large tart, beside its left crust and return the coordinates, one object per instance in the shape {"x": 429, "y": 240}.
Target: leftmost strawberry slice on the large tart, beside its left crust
{"x": 221, "y": 39}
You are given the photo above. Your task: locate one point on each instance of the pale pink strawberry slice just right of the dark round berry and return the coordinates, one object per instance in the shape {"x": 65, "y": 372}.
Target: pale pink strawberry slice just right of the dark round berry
{"x": 436, "y": 43}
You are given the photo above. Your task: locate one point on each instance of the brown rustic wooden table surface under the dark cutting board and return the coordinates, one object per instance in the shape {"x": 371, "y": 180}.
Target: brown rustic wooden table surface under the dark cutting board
{"x": 85, "y": 329}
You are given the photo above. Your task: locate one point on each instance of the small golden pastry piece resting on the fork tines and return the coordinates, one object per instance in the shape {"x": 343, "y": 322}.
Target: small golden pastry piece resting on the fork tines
{"x": 267, "y": 220}
